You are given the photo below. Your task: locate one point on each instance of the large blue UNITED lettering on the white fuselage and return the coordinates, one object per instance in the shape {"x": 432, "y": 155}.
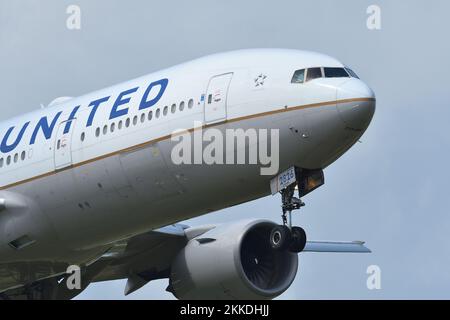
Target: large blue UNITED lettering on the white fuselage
{"x": 119, "y": 108}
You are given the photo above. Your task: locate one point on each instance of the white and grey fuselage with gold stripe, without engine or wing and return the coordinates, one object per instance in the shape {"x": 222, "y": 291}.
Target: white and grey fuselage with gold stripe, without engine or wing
{"x": 80, "y": 175}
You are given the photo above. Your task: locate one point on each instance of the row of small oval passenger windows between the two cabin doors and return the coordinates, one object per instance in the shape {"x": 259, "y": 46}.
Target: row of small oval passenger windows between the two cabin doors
{"x": 144, "y": 116}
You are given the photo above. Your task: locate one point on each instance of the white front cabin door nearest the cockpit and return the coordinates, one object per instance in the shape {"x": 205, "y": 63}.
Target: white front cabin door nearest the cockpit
{"x": 215, "y": 103}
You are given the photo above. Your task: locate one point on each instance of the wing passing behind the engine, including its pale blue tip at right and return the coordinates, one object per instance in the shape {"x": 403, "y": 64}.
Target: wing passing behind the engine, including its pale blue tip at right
{"x": 140, "y": 259}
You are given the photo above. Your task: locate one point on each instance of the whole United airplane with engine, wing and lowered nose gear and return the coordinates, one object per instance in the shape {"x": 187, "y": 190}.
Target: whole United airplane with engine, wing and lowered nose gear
{"x": 90, "y": 182}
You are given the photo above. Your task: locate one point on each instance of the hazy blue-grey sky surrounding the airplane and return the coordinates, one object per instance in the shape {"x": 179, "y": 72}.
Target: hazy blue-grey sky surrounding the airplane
{"x": 390, "y": 190}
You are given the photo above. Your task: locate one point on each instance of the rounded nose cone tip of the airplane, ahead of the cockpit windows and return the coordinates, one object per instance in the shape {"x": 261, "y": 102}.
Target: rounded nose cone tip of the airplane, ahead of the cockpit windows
{"x": 355, "y": 103}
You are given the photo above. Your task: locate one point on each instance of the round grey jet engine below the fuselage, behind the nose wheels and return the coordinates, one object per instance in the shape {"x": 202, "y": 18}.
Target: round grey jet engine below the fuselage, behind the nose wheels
{"x": 233, "y": 261}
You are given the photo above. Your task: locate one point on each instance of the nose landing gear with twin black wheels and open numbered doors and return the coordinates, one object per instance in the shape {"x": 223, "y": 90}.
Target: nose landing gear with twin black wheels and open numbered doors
{"x": 286, "y": 236}
